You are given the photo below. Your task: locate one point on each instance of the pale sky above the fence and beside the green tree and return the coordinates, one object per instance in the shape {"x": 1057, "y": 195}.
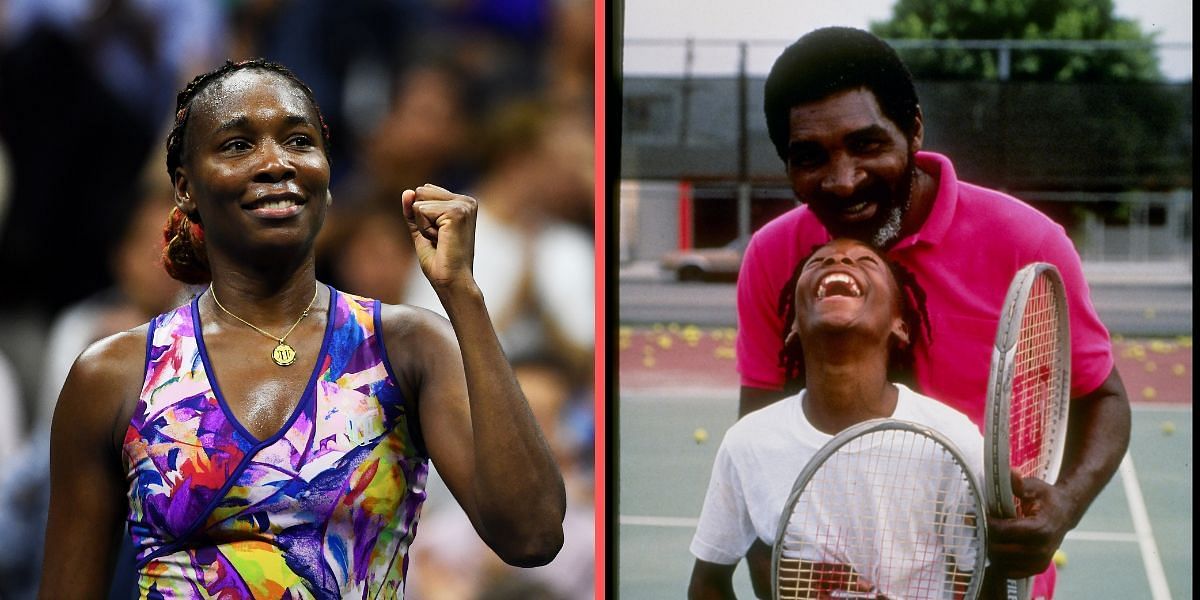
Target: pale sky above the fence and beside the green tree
{"x": 784, "y": 21}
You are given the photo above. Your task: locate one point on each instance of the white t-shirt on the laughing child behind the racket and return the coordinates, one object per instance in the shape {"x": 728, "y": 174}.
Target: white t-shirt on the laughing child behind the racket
{"x": 765, "y": 452}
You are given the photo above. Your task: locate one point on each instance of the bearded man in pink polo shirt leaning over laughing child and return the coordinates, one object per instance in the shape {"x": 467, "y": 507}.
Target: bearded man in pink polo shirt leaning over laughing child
{"x": 844, "y": 117}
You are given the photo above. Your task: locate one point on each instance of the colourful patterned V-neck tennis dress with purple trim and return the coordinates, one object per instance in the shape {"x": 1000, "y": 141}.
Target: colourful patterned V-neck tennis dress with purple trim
{"x": 326, "y": 509}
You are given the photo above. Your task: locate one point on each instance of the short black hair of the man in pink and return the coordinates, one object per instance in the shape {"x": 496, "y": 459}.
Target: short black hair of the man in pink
{"x": 830, "y": 61}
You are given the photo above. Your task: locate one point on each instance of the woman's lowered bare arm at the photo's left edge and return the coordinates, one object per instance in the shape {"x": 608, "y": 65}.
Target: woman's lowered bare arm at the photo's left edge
{"x": 87, "y": 484}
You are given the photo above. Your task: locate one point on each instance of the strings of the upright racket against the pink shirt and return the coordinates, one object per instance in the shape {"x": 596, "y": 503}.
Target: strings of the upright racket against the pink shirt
{"x": 1037, "y": 383}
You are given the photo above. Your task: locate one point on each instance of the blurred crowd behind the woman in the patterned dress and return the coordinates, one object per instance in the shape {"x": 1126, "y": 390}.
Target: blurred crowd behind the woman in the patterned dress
{"x": 487, "y": 98}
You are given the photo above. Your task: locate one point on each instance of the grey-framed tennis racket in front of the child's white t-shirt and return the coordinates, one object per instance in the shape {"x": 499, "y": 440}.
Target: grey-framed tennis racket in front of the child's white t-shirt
{"x": 886, "y": 509}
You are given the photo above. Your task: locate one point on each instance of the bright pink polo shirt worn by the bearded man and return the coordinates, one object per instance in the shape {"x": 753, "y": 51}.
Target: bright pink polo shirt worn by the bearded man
{"x": 964, "y": 257}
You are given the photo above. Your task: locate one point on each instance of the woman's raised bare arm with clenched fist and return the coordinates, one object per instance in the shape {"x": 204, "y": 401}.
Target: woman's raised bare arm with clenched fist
{"x": 478, "y": 428}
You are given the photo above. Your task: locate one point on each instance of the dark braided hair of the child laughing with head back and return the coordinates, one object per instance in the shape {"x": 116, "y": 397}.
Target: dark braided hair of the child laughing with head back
{"x": 901, "y": 357}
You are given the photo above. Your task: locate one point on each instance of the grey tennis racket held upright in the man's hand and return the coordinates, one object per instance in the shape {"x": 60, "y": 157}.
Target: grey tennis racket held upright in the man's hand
{"x": 1029, "y": 391}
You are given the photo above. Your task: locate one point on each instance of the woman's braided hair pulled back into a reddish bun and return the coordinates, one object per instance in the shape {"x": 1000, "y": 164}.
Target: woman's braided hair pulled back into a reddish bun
{"x": 184, "y": 256}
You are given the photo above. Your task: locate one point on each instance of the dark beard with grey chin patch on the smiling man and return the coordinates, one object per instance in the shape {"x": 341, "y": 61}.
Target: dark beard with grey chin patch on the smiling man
{"x": 884, "y": 229}
